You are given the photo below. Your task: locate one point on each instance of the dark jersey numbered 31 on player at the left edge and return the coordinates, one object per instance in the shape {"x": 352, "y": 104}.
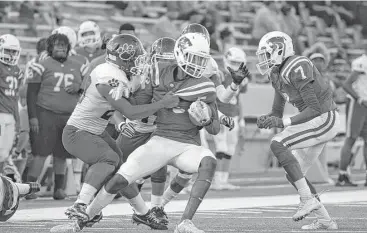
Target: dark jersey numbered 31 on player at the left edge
{"x": 10, "y": 80}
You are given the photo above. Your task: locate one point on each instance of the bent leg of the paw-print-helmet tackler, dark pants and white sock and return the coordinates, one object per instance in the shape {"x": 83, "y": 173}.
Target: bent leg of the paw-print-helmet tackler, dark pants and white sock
{"x": 103, "y": 161}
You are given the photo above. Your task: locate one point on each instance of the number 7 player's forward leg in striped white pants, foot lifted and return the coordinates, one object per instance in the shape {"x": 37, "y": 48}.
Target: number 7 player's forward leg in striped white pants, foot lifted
{"x": 318, "y": 130}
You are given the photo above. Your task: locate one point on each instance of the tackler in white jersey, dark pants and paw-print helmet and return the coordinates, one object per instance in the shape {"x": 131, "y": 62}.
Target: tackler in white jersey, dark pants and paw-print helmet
{"x": 85, "y": 136}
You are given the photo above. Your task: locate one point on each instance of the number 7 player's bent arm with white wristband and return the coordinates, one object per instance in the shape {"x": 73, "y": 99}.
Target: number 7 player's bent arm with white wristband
{"x": 301, "y": 76}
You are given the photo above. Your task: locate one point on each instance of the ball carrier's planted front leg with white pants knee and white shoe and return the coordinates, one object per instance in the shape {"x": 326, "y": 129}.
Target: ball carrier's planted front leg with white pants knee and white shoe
{"x": 200, "y": 160}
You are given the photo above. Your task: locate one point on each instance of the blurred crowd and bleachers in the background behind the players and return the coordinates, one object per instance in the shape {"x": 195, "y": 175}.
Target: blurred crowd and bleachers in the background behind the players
{"x": 336, "y": 30}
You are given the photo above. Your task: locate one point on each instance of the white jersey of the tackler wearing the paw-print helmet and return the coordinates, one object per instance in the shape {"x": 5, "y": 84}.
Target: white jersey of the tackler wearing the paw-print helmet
{"x": 93, "y": 112}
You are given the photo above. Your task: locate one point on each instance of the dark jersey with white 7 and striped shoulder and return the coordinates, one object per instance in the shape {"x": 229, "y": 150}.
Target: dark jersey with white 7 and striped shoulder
{"x": 294, "y": 74}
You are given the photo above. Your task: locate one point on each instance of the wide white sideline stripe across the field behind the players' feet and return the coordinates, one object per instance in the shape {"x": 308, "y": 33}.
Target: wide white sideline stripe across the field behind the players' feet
{"x": 207, "y": 204}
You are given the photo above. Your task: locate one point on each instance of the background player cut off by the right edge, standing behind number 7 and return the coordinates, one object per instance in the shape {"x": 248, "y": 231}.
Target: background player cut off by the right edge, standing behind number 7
{"x": 355, "y": 86}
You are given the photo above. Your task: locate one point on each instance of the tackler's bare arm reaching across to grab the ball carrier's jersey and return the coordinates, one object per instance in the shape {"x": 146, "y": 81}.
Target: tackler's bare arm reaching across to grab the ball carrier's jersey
{"x": 140, "y": 111}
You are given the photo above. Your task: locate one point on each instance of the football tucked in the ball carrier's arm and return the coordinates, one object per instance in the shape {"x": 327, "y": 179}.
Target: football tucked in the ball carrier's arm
{"x": 200, "y": 113}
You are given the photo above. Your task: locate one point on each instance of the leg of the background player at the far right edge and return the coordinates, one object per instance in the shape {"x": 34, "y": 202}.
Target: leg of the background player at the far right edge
{"x": 356, "y": 117}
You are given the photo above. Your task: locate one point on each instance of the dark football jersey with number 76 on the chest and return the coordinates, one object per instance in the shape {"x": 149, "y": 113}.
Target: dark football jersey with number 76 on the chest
{"x": 54, "y": 77}
